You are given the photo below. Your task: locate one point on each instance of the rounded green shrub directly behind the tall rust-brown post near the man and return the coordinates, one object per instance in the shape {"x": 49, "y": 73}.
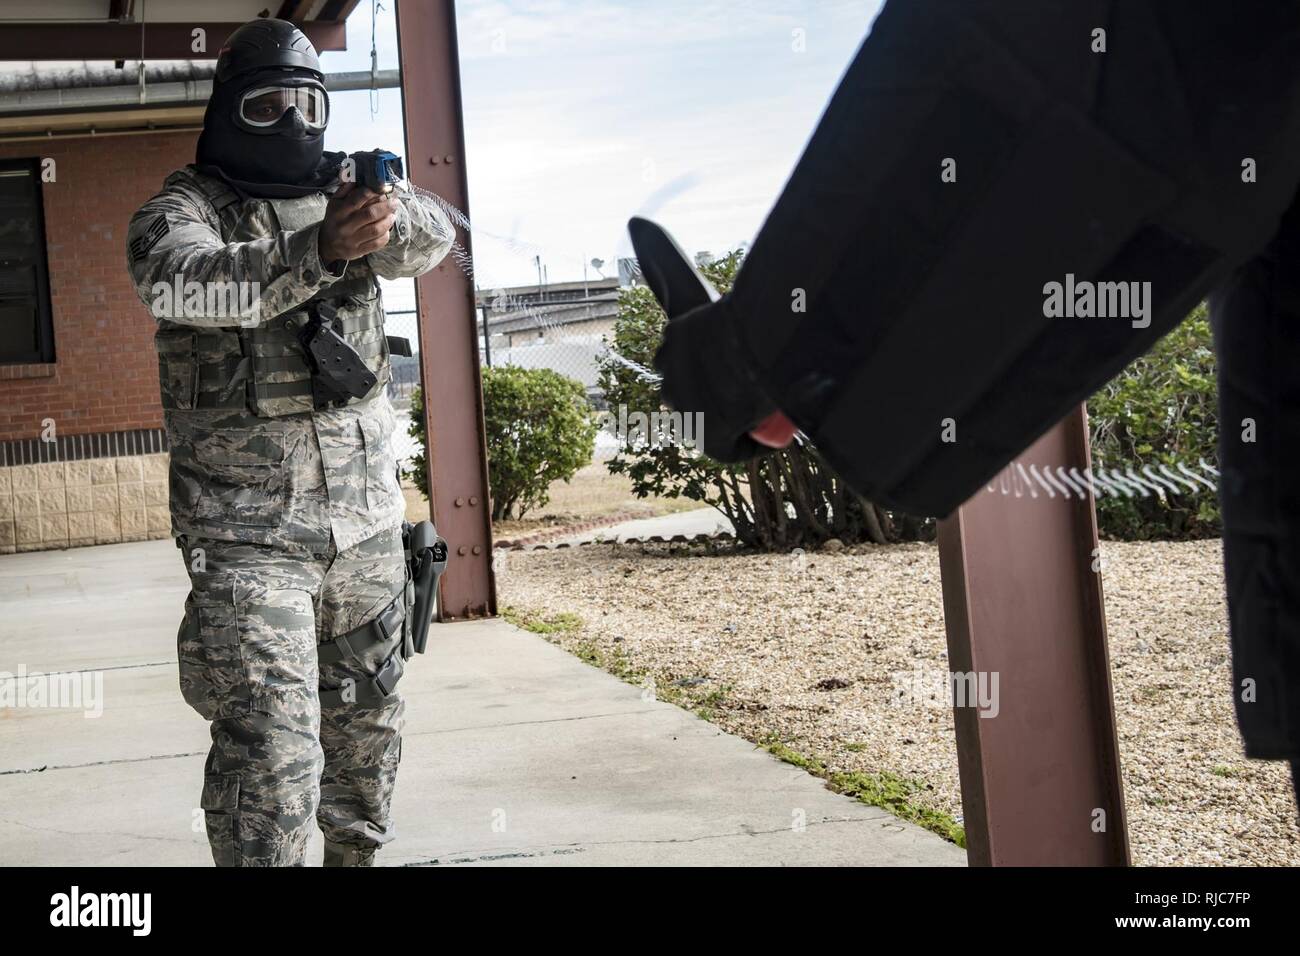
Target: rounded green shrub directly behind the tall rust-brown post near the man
{"x": 540, "y": 429}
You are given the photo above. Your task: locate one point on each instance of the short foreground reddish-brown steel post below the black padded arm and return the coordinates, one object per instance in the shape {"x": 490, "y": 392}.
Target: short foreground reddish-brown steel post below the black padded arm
{"x": 1041, "y": 781}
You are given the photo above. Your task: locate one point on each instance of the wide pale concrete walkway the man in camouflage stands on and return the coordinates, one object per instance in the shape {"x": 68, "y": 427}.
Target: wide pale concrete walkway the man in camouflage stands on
{"x": 515, "y": 751}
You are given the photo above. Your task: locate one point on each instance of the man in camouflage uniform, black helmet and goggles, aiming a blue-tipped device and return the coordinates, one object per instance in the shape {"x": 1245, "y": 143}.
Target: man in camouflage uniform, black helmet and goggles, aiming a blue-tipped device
{"x": 287, "y": 508}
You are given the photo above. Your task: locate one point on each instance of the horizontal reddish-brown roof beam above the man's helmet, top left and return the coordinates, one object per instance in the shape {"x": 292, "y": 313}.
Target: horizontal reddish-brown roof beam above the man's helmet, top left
{"x": 128, "y": 41}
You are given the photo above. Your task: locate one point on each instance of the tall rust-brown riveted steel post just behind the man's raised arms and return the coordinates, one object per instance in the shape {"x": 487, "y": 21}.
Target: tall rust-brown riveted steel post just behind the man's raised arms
{"x": 445, "y": 302}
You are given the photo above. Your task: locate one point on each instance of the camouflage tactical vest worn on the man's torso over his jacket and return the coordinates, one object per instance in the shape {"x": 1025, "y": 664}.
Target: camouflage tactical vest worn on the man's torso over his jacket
{"x": 266, "y": 369}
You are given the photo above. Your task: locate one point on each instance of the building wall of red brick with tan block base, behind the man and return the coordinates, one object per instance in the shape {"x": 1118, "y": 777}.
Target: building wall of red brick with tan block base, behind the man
{"x": 98, "y": 475}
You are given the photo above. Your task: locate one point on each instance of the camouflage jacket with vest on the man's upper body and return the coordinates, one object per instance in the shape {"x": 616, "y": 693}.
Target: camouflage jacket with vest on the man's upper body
{"x": 224, "y": 278}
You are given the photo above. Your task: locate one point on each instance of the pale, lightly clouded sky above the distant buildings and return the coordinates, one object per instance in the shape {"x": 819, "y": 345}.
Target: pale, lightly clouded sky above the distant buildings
{"x": 580, "y": 114}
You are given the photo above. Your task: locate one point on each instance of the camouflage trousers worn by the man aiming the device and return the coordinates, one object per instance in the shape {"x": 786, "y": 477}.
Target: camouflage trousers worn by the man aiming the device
{"x": 249, "y": 664}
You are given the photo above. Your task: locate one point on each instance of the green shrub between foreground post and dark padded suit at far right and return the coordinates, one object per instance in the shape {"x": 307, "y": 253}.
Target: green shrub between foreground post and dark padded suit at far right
{"x": 1162, "y": 409}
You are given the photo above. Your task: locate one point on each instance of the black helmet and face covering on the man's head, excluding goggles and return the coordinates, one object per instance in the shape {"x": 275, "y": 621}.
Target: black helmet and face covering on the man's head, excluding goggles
{"x": 287, "y": 159}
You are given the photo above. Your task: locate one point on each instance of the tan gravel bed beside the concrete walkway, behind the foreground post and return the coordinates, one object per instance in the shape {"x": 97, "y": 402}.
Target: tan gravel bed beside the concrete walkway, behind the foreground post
{"x": 805, "y": 650}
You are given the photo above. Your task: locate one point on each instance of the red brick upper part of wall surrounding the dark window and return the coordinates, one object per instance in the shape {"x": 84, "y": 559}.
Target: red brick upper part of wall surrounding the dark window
{"x": 105, "y": 377}
